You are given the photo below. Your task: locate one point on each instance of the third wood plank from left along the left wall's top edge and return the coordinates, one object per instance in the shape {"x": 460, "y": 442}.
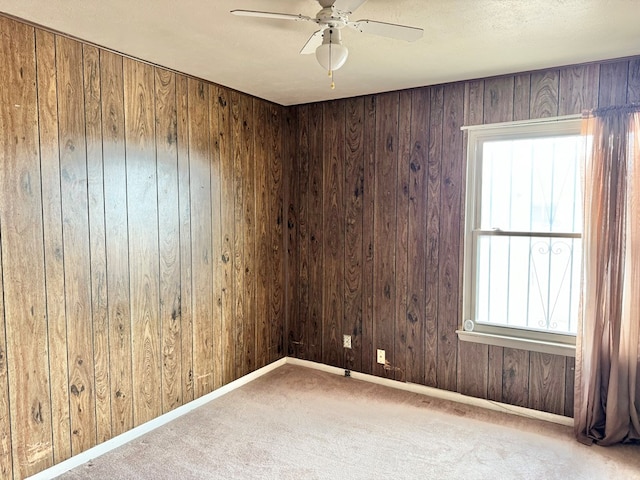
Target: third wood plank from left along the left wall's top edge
{"x": 77, "y": 268}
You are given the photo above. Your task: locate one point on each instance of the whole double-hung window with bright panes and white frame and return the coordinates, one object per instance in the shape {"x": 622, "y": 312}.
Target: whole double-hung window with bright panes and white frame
{"x": 523, "y": 233}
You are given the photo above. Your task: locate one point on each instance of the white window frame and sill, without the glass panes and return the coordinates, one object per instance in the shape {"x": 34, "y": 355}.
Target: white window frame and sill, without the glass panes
{"x": 533, "y": 340}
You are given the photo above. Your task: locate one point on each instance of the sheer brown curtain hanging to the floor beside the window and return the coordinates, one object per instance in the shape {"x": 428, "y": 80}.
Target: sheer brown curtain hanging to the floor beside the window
{"x": 607, "y": 396}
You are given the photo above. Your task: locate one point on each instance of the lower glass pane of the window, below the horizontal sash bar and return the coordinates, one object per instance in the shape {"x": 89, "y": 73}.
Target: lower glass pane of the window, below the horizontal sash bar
{"x": 528, "y": 282}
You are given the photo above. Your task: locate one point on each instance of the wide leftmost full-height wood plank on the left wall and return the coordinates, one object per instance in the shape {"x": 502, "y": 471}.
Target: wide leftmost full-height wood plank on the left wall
{"x": 23, "y": 254}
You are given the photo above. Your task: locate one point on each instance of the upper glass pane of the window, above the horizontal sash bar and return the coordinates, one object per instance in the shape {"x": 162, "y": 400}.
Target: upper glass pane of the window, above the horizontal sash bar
{"x": 531, "y": 185}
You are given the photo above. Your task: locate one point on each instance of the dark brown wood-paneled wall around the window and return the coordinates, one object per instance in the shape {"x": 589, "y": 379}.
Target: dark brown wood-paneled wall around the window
{"x": 376, "y": 228}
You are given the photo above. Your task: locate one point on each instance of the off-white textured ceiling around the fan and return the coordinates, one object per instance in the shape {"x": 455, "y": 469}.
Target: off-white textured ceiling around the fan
{"x": 463, "y": 39}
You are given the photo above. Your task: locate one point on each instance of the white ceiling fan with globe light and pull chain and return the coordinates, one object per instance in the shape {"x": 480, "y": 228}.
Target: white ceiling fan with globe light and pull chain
{"x": 332, "y": 18}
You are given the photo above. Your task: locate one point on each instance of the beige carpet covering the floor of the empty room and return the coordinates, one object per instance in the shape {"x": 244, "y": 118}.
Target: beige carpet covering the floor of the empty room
{"x": 298, "y": 423}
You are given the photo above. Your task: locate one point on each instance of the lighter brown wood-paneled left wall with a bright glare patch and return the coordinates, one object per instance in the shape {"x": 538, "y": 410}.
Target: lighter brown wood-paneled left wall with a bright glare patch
{"x": 142, "y": 243}
